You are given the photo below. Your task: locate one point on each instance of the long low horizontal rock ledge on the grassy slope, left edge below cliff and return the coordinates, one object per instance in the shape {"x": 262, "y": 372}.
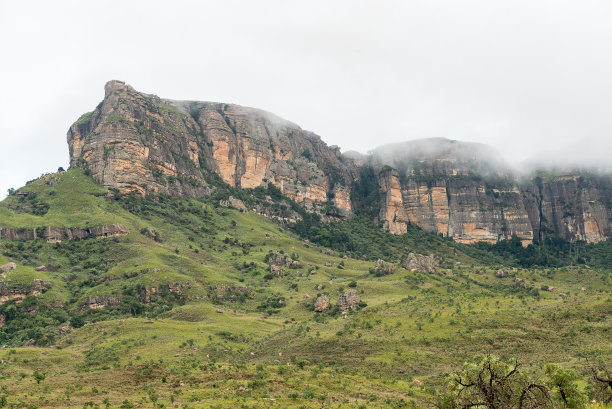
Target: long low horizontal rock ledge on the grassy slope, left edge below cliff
{"x": 56, "y": 234}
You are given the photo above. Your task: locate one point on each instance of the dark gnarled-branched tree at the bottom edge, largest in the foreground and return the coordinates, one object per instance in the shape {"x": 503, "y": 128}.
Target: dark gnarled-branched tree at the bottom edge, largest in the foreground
{"x": 488, "y": 382}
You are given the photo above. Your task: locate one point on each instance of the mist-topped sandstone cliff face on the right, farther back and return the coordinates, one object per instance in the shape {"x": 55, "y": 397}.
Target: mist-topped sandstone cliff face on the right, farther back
{"x": 473, "y": 201}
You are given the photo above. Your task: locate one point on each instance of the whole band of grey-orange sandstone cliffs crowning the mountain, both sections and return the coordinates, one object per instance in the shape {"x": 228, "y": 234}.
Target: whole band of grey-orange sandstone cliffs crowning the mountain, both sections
{"x": 140, "y": 143}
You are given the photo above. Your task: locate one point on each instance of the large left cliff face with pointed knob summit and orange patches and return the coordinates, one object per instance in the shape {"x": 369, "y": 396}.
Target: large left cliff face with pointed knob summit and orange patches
{"x": 140, "y": 143}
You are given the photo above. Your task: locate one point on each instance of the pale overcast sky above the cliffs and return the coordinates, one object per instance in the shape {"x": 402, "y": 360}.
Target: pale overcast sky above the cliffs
{"x": 528, "y": 77}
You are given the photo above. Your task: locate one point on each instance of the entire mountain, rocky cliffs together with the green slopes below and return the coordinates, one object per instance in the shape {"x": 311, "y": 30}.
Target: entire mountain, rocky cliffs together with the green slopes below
{"x": 153, "y": 273}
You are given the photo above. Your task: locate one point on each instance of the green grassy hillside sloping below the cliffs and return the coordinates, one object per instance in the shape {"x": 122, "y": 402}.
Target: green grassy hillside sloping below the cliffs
{"x": 215, "y": 344}
